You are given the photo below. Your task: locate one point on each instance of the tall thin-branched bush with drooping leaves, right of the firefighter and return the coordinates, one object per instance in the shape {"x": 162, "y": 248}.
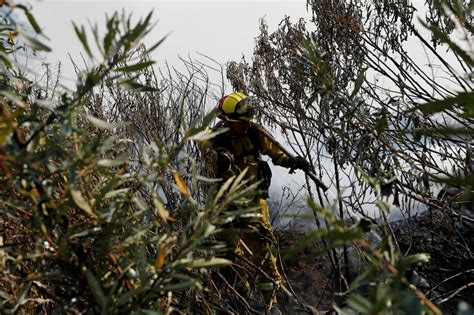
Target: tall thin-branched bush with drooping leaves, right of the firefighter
{"x": 346, "y": 93}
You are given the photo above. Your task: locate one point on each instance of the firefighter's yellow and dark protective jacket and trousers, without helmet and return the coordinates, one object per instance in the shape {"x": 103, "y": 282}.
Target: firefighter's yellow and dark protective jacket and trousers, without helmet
{"x": 228, "y": 154}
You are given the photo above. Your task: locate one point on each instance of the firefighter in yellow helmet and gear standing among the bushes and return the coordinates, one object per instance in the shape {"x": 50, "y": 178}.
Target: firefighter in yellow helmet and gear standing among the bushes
{"x": 234, "y": 150}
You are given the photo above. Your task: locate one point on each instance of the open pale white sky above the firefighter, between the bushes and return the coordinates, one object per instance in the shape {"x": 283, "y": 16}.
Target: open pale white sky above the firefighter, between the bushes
{"x": 223, "y": 30}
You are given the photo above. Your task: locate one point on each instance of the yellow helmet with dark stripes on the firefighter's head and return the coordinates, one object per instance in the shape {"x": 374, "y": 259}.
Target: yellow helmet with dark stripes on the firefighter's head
{"x": 236, "y": 107}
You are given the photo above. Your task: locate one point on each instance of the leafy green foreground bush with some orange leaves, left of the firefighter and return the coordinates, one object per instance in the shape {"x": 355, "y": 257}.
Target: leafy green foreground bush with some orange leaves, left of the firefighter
{"x": 84, "y": 226}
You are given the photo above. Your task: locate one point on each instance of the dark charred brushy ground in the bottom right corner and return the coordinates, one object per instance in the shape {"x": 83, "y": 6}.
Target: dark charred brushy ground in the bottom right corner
{"x": 448, "y": 277}
